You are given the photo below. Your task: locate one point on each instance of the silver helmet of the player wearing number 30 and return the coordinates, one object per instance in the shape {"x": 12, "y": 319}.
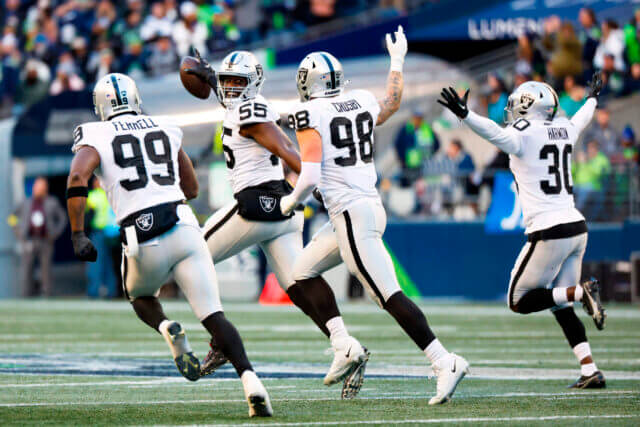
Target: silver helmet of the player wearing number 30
{"x": 531, "y": 100}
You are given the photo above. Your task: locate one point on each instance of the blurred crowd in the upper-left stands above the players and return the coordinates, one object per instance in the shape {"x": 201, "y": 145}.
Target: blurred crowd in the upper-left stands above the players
{"x": 49, "y": 46}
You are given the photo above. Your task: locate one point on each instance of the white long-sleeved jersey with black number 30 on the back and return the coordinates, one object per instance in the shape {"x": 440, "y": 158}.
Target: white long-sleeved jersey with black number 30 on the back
{"x": 540, "y": 159}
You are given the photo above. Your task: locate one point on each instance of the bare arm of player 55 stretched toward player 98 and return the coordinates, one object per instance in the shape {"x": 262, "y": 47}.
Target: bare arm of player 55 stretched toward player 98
{"x": 271, "y": 137}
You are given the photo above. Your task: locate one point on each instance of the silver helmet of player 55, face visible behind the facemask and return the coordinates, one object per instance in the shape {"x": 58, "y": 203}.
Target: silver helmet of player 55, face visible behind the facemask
{"x": 239, "y": 64}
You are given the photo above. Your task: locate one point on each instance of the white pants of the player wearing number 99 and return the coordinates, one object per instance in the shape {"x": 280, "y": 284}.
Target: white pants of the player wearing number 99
{"x": 181, "y": 252}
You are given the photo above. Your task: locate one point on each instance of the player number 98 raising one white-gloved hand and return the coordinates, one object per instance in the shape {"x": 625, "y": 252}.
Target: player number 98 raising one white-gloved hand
{"x": 335, "y": 133}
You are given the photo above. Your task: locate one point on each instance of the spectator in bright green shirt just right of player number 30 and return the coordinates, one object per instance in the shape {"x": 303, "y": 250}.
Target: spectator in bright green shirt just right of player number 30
{"x": 590, "y": 175}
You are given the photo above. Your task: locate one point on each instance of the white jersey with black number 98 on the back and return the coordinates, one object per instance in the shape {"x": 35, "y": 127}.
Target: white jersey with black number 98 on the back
{"x": 345, "y": 124}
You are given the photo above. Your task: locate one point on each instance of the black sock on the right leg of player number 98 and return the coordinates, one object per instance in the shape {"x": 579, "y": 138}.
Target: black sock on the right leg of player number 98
{"x": 410, "y": 318}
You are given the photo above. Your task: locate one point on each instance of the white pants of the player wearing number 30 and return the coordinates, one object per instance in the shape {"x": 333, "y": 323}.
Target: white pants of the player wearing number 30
{"x": 547, "y": 264}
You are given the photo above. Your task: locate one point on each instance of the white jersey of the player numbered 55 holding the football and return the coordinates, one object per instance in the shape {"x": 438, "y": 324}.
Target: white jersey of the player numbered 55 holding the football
{"x": 249, "y": 163}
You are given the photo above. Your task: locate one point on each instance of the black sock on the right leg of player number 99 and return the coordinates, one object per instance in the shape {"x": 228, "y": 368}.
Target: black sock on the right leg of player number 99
{"x": 228, "y": 340}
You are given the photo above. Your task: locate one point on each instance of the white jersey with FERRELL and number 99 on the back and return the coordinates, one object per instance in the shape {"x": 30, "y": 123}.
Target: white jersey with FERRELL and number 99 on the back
{"x": 138, "y": 160}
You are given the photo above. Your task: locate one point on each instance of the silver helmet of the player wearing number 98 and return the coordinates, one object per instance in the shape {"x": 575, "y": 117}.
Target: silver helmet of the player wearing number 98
{"x": 319, "y": 75}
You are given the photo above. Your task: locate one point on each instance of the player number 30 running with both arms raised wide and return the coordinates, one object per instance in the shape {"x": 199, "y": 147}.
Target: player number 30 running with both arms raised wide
{"x": 547, "y": 272}
